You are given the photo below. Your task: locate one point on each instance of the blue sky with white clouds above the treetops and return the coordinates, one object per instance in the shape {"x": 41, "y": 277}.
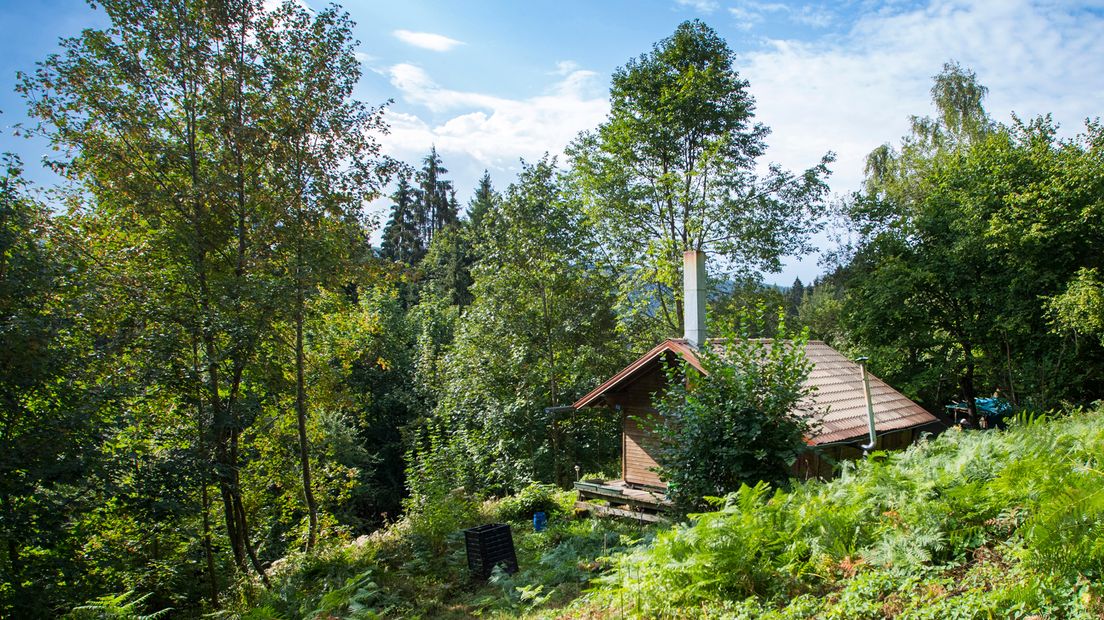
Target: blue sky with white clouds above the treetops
{"x": 491, "y": 83}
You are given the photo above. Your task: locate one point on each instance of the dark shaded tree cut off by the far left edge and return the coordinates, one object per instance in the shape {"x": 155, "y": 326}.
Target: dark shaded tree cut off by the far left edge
{"x": 51, "y": 402}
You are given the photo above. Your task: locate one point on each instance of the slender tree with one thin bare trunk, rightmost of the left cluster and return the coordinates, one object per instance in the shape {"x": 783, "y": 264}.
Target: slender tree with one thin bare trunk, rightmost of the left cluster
{"x": 324, "y": 168}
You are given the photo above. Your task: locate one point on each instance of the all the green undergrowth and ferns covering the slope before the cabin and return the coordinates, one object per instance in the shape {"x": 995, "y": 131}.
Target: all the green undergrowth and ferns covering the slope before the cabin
{"x": 968, "y": 526}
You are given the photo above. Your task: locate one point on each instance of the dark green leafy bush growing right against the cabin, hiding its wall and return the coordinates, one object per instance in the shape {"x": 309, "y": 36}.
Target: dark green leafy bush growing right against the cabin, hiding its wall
{"x": 740, "y": 424}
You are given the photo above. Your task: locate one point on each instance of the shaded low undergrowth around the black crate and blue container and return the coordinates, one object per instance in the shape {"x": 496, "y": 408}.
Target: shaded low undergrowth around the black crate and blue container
{"x": 418, "y": 568}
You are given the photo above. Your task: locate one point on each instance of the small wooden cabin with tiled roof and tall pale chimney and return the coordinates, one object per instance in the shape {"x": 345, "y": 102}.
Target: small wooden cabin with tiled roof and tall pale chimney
{"x": 838, "y": 400}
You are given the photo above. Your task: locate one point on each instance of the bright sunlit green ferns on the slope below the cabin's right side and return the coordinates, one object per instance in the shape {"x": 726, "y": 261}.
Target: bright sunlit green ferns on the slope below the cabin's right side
{"x": 965, "y": 526}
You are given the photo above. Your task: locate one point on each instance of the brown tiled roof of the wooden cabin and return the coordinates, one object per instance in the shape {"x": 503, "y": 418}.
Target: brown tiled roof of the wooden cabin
{"x": 837, "y": 398}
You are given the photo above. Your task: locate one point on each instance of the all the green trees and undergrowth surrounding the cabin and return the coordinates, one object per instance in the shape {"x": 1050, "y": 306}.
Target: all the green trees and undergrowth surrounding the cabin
{"x": 220, "y": 398}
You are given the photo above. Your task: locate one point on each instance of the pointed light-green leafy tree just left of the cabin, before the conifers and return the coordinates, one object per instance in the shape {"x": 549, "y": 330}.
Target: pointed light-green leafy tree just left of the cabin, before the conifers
{"x": 539, "y": 334}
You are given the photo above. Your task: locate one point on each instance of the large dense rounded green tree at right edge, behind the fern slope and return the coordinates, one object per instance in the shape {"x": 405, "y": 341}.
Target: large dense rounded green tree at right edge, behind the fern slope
{"x": 963, "y": 234}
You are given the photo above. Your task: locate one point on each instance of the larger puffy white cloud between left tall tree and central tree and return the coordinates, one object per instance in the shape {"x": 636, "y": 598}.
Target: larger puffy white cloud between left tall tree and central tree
{"x": 492, "y": 131}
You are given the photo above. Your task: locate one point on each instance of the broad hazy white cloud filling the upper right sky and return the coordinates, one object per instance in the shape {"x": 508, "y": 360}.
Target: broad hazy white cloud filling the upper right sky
{"x": 852, "y": 93}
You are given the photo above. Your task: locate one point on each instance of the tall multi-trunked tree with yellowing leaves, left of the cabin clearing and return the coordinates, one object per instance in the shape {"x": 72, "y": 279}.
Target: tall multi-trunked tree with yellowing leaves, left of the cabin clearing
{"x": 195, "y": 132}
